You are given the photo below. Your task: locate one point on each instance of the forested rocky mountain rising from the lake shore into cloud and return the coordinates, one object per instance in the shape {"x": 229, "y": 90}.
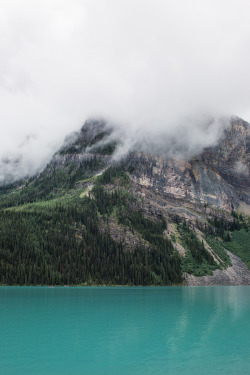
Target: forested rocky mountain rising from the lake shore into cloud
{"x": 147, "y": 218}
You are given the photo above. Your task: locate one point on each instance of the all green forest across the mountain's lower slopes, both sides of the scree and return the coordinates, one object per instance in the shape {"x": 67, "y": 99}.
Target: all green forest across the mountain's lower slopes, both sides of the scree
{"x": 50, "y": 232}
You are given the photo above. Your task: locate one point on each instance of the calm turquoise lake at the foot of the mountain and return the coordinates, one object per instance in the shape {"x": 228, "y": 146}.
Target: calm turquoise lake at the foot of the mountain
{"x": 122, "y": 330}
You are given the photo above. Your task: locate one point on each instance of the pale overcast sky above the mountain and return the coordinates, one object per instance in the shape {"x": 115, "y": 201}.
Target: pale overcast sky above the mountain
{"x": 140, "y": 63}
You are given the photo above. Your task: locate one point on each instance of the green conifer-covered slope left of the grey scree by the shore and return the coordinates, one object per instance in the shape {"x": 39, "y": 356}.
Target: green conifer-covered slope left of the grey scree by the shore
{"x": 49, "y": 235}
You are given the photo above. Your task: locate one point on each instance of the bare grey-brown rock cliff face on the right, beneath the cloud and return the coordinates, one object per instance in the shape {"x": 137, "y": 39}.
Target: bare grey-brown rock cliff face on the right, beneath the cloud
{"x": 219, "y": 177}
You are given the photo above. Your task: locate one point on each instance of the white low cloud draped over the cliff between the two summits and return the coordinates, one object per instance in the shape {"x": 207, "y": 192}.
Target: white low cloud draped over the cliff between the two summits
{"x": 183, "y": 138}
